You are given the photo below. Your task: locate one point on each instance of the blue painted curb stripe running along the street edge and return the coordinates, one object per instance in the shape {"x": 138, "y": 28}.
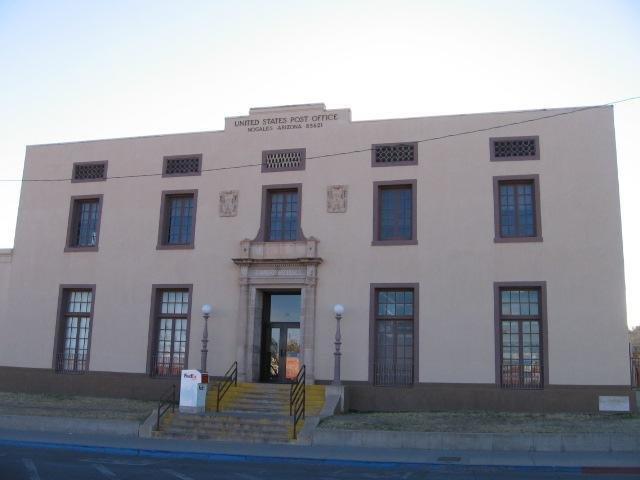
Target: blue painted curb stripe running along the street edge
{"x": 222, "y": 457}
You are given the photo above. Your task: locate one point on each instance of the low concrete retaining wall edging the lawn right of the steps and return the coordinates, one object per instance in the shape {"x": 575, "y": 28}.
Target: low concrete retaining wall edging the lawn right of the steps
{"x": 538, "y": 442}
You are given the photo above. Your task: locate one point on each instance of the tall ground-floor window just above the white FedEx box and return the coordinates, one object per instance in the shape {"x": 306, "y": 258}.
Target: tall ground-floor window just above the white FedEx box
{"x": 171, "y": 320}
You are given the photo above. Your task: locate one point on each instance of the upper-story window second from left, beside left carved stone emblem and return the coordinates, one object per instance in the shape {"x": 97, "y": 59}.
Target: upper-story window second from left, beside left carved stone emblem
{"x": 177, "y": 219}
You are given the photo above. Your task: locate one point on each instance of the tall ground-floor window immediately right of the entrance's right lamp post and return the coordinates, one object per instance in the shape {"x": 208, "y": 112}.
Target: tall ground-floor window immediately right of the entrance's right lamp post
{"x": 394, "y": 310}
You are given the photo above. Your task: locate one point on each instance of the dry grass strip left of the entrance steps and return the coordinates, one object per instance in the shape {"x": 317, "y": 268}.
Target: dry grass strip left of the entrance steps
{"x": 79, "y": 407}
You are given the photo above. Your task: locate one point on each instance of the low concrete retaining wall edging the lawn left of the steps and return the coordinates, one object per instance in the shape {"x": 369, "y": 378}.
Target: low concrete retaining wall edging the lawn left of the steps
{"x": 126, "y": 428}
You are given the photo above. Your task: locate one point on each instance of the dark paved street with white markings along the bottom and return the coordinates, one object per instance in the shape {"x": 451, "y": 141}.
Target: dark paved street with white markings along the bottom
{"x": 18, "y": 463}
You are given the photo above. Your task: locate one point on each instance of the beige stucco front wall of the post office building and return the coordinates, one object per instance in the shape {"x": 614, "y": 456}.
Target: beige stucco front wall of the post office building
{"x": 456, "y": 261}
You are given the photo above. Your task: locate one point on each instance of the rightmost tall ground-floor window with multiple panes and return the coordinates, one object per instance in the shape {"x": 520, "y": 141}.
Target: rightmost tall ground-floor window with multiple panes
{"x": 521, "y": 332}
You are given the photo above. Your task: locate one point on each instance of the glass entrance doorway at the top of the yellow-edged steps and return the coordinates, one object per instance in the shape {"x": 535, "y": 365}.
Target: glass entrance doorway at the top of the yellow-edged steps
{"x": 281, "y": 340}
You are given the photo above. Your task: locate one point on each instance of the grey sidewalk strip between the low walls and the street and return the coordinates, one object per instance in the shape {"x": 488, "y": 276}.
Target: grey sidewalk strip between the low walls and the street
{"x": 221, "y": 451}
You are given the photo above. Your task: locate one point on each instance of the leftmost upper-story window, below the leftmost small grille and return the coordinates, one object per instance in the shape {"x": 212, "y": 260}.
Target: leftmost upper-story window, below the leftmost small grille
{"x": 84, "y": 223}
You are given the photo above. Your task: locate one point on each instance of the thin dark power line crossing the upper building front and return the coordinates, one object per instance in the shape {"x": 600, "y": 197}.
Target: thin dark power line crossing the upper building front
{"x": 350, "y": 152}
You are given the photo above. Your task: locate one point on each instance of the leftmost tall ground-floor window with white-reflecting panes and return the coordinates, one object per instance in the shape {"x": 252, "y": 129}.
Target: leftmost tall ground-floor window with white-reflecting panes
{"x": 72, "y": 353}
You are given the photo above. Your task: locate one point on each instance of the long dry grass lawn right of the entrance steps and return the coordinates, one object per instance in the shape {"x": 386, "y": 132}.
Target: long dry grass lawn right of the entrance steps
{"x": 486, "y": 422}
